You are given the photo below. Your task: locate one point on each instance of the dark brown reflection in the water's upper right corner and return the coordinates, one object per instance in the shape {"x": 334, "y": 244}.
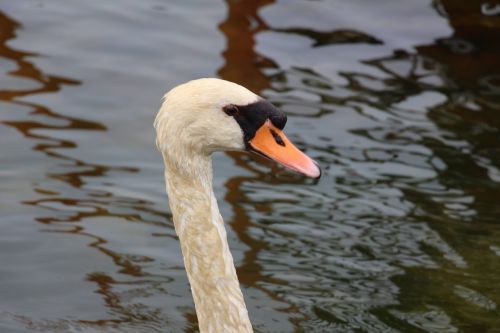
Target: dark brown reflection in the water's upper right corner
{"x": 471, "y": 54}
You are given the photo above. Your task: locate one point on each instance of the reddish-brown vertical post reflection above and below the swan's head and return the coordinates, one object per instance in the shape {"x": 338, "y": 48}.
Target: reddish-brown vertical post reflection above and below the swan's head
{"x": 245, "y": 66}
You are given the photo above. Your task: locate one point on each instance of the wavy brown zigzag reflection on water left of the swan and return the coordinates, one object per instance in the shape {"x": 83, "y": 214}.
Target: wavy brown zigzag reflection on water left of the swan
{"x": 91, "y": 203}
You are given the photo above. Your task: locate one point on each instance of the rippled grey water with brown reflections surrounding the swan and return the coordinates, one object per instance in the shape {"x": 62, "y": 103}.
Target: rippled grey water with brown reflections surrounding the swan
{"x": 398, "y": 101}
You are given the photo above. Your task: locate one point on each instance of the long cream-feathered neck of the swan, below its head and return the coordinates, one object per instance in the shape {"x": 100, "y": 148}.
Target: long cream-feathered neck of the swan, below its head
{"x": 219, "y": 303}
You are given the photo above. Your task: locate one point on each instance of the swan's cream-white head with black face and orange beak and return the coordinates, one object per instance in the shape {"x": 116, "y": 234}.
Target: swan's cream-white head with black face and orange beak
{"x": 207, "y": 115}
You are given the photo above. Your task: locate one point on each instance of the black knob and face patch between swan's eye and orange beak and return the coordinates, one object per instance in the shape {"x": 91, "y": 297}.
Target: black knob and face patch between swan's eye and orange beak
{"x": 252, "y": 116}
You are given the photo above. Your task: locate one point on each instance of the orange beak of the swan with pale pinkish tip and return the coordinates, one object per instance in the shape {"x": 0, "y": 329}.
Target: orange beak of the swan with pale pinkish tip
{"x": 272, "y": 143}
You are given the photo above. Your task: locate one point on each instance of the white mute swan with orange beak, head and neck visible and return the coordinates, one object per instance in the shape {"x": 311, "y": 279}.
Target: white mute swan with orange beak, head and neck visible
{"x": 196, "y": 119}
